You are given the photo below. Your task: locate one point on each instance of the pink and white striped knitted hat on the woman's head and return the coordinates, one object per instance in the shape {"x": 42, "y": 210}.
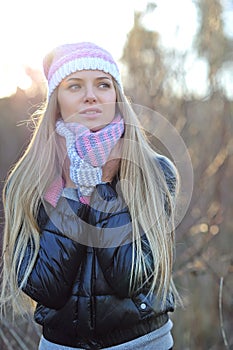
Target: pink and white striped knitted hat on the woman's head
{"x": 69, "y": 58}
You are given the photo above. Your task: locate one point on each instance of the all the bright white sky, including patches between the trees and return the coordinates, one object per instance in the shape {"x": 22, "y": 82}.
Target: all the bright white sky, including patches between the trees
{"x": 31, "y": 28}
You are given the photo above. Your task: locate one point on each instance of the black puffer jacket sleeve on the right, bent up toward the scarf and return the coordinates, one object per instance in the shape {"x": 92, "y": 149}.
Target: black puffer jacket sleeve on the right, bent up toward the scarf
{"x": 115, "y": 249}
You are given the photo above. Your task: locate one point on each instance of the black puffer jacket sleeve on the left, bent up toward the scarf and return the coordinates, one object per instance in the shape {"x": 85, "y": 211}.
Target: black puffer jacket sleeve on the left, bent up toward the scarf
{"x": 59, "y": 256}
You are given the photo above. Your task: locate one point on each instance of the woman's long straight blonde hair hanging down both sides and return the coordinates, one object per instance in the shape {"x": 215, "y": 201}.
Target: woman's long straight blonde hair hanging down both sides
{"x": 24, "y": 190}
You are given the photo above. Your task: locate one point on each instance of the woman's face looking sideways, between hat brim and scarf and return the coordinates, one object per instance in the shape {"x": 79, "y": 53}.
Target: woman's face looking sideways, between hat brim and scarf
{"x": 87, "y": 97}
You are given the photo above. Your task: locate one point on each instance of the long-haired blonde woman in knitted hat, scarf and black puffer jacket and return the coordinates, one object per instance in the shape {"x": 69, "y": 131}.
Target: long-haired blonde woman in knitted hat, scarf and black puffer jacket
{"x": 88, "y": 215}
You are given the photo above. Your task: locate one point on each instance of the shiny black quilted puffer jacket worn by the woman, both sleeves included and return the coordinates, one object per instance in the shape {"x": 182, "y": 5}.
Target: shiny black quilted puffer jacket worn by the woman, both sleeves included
{"x": 80, "y": 280}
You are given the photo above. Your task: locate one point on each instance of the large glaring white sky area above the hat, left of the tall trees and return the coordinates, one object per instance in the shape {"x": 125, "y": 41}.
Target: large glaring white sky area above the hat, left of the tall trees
{"x": 41, "y": 26}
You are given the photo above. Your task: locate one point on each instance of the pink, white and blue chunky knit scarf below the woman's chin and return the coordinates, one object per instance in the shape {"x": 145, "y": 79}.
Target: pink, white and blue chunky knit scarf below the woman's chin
{"x": 88, "y": 151}
